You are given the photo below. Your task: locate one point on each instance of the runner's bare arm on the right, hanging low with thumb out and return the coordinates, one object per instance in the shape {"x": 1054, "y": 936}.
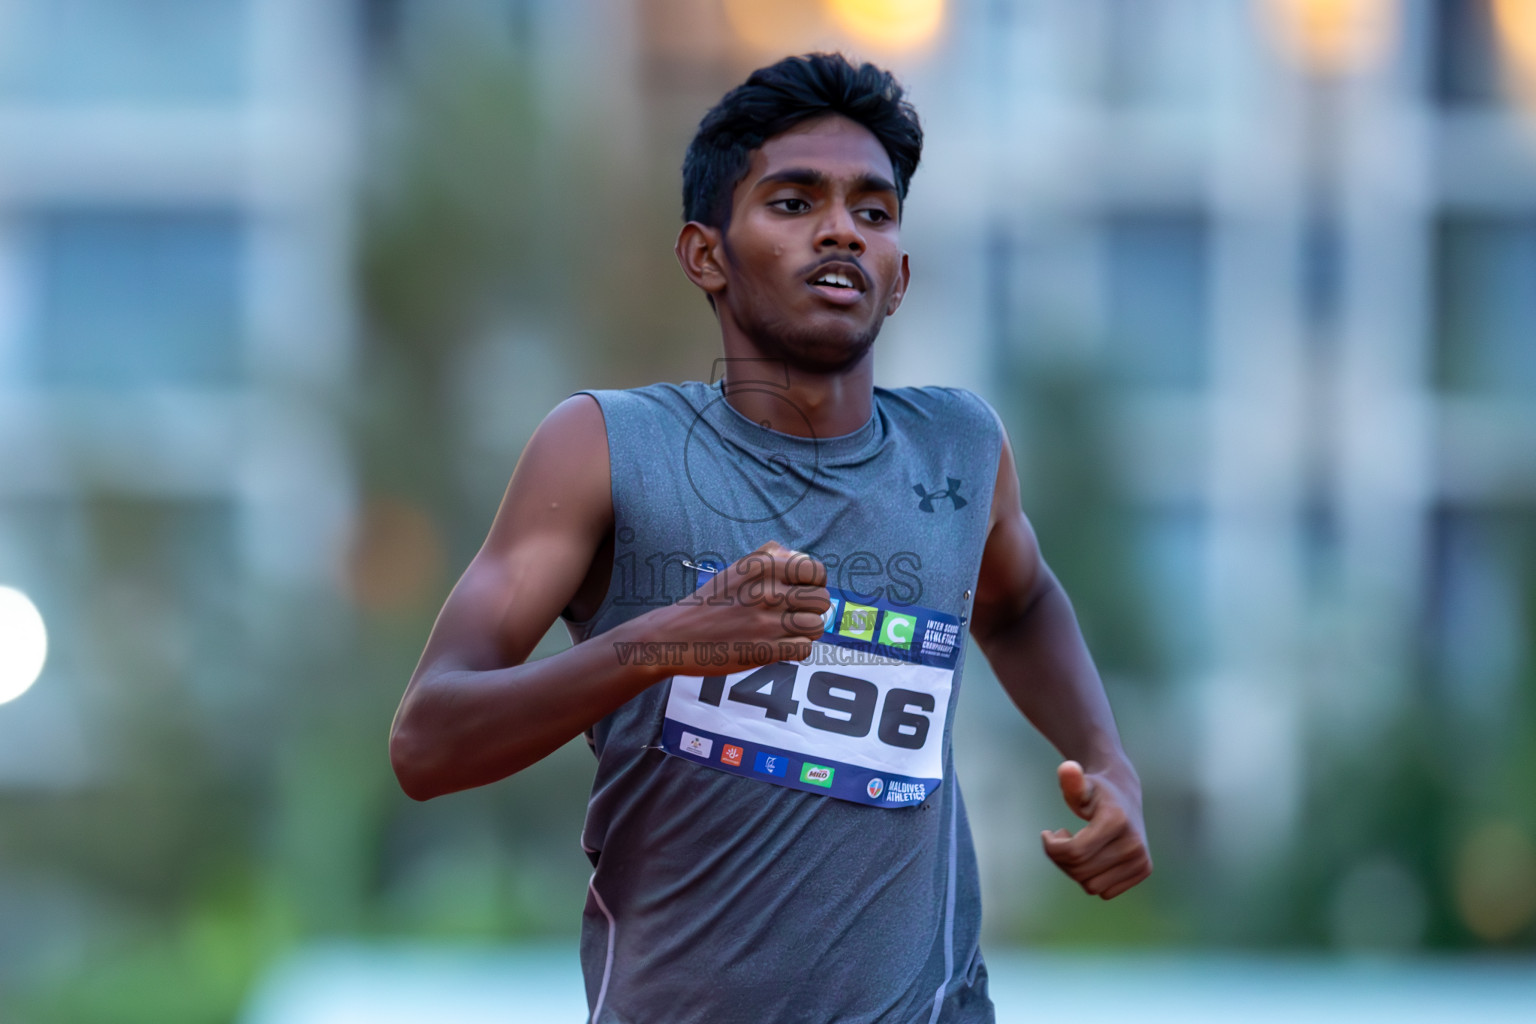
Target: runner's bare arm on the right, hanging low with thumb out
{"x": 1025, "y": 626}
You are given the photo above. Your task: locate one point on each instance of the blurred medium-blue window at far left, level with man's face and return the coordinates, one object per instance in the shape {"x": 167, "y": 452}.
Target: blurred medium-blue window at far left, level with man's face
{"x": 131, "y": 299}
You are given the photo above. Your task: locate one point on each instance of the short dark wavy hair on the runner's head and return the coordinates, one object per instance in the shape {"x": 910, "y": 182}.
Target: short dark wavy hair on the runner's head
{"x": 776, "y": 99}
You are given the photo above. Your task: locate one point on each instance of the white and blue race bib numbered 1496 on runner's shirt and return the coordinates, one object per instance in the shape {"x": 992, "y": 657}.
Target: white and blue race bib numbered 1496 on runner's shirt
{"x": 862, "y": 719}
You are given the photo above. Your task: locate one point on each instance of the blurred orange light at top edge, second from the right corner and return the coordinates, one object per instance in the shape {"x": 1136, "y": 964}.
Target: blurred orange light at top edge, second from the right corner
{"x": 1332, "y": 38}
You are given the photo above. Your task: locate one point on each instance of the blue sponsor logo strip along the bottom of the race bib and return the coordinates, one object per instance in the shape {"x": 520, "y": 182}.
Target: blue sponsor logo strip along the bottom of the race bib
{"x": 795, "y": 771}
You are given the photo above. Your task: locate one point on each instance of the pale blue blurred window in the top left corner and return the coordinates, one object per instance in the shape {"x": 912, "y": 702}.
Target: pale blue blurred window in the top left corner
{"x": 73, "y": 51}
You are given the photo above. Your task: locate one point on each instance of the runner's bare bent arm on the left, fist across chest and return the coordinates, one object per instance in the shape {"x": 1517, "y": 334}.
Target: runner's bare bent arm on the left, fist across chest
{"x": 475, "y": 710}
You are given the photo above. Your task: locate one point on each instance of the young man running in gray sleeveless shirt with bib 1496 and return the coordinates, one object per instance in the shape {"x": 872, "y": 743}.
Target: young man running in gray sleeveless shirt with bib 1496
{"x": 770, "y": 581}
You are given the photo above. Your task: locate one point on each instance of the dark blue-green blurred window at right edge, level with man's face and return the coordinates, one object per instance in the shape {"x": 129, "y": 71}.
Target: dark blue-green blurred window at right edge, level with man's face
{"x": 1486, "y": 306}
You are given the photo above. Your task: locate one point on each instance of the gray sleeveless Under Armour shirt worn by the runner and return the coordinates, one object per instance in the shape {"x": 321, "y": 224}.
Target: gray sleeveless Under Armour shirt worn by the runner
{"x": 727, "y": 897}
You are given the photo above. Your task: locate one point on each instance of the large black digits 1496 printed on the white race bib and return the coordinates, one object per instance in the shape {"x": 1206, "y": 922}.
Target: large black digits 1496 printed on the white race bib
{"x": 838, "y": 704}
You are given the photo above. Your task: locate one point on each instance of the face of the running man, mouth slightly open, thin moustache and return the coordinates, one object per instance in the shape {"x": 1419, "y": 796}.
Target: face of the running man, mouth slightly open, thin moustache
{"x": 813, "y": 260}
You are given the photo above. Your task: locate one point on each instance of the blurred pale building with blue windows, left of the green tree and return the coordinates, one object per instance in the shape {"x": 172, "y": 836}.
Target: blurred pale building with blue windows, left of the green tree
{"x": 176, "y": 322}
